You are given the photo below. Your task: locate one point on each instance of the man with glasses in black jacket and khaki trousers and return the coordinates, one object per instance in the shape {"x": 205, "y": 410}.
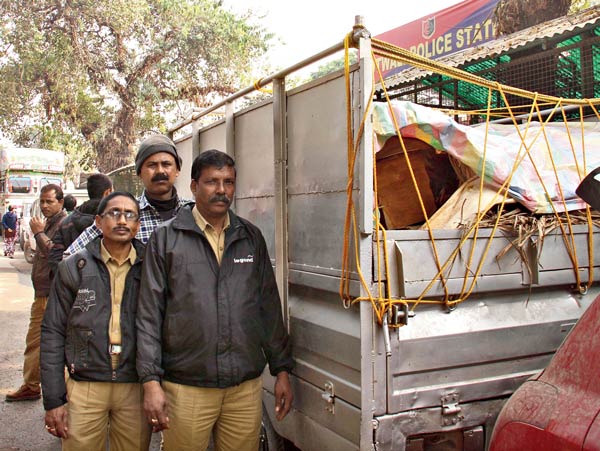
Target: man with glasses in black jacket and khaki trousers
{"x": 89, "y": 326}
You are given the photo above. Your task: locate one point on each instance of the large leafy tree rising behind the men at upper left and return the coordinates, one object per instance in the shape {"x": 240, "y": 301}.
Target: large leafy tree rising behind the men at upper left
{"x": 101, "y": 73}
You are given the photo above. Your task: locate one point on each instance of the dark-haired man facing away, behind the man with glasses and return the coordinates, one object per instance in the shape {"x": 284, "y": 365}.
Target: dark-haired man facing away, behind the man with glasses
{"x": 98, "y": 186}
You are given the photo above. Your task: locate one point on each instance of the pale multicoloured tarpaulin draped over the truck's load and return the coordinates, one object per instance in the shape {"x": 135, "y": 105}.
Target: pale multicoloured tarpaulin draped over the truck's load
{"x": 504, "y": 147}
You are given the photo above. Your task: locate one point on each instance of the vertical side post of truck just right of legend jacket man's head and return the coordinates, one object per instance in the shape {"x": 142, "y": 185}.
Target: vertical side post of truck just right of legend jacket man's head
{"x": 281, "y": 192}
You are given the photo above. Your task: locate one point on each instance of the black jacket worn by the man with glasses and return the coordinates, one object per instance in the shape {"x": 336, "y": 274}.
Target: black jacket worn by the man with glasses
{"x": 75, "y": 325}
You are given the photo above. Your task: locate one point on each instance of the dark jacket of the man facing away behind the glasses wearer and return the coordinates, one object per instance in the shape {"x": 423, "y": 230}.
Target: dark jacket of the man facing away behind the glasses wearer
{"x": 70, "y": 229}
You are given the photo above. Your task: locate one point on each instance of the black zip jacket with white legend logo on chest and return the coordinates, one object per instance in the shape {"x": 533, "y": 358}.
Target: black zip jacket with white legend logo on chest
{"x": 207, "y": 325}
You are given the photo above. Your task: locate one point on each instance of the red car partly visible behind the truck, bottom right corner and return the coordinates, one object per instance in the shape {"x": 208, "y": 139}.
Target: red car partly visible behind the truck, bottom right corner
{"x": 558, "y": 410}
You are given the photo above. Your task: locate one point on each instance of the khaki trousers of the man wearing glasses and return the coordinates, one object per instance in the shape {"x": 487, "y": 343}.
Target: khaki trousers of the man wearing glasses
{"x": 94, "y": 406}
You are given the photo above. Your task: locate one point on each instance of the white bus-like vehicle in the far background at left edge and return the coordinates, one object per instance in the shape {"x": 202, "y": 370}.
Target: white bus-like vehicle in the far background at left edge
{"x": 23, "y": 172}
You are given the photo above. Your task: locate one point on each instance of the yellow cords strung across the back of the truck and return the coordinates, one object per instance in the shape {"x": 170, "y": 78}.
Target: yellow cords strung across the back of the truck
{"x": 379, "y": 295}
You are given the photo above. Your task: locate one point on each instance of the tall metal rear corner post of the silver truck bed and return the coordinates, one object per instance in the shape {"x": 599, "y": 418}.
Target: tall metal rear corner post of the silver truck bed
{"x": 367, "y": 323}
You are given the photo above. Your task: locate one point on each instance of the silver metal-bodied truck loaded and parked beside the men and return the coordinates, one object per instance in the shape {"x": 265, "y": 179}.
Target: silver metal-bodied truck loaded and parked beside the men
{"x": 374, "y": 371}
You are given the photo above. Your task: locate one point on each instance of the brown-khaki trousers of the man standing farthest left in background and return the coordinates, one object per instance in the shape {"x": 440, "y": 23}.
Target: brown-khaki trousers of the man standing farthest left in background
{"x": 31, "y": 363}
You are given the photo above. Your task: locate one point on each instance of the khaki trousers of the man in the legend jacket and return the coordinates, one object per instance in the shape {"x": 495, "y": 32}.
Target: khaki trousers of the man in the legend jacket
{"x": 233, "y": 414}
